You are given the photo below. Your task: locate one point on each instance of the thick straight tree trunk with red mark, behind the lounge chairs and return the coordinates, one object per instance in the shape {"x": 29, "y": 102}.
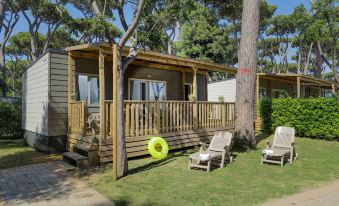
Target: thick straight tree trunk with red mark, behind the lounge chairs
{"x": 246, "y": 76}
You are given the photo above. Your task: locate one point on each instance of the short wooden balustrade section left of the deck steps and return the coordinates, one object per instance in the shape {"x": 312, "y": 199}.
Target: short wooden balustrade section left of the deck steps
{"x": 77, "y": 117}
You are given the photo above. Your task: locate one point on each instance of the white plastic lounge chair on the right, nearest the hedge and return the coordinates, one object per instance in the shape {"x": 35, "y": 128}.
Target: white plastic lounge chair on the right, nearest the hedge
{"x": 282, "y": 147}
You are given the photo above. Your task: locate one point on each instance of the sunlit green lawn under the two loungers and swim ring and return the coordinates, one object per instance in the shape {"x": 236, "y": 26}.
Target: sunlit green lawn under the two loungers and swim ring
{"x": 245, "y": 182}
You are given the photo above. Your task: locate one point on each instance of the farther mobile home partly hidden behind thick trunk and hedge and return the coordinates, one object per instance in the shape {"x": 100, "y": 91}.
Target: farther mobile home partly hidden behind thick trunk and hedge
{"x": 274, "y": 86}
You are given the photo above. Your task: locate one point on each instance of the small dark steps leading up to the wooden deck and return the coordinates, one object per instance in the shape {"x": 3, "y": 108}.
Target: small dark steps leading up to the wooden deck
{"x": 83, "y": 156}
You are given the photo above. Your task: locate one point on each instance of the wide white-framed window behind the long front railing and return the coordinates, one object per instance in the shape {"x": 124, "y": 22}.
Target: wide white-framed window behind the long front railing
{"x": 146, "y": 90}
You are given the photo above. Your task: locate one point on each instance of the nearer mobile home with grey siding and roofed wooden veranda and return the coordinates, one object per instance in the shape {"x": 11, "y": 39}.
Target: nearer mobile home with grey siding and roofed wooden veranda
{"x": 62, "y": 89}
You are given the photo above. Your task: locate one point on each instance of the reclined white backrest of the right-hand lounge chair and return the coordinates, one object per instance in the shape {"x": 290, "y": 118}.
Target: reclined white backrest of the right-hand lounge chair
{"x": 283, "y": 137}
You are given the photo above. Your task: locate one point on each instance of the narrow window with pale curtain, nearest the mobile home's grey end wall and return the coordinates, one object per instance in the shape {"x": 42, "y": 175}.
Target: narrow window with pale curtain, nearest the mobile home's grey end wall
{"x": 88, "y": 87}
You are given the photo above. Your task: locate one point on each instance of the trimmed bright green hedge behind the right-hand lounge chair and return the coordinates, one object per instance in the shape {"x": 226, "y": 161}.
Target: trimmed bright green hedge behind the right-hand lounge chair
{"x": 312, "y": 117}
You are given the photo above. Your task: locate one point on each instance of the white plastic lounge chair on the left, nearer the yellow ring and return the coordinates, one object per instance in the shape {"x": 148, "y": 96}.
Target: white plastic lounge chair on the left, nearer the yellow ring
{"x": 218, "y": 148}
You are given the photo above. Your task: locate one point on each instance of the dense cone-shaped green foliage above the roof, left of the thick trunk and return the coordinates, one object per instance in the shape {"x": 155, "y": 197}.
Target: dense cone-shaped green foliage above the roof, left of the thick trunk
{"x": 204, "y": 38}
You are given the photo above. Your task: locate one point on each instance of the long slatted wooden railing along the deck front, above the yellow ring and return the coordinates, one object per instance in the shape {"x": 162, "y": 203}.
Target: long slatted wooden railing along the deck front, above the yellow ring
{"x": 154, "y": 117}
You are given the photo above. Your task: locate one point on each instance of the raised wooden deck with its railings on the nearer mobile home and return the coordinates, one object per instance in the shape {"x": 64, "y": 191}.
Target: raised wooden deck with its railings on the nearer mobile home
{"x": 181, "y": 123}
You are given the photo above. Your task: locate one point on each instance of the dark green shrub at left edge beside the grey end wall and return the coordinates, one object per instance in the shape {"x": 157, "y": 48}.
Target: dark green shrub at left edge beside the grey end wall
{"x": 10, "y": 119}
